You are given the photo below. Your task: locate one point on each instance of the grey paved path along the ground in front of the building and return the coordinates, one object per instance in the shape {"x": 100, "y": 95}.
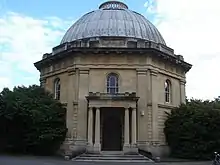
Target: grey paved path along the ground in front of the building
{"x": 25, "y": 160}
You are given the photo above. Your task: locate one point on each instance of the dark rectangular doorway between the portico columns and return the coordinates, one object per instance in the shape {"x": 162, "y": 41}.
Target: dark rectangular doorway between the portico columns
{"x": 112, "y": 122}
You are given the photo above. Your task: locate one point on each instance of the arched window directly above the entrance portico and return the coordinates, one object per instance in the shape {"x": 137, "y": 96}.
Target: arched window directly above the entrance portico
{"x": 112, "y": 83}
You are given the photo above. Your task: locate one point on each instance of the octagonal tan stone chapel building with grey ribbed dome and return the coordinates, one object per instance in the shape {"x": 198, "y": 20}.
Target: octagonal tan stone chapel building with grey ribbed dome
{"x": 117, "y": 78}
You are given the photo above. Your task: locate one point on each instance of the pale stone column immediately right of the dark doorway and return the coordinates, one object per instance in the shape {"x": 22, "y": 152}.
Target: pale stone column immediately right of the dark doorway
{"x": 126, "y": 129}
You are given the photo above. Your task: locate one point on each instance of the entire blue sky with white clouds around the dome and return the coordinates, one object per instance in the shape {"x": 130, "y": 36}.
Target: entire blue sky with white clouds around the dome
{"x": 30, "y": 28}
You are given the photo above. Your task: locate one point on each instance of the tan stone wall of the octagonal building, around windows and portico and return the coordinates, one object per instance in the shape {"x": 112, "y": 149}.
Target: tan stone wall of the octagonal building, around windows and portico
{"x": 145, "y": 75}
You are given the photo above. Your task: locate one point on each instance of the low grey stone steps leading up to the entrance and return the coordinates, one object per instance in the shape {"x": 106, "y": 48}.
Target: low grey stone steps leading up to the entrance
{"x": 113, "y": 157}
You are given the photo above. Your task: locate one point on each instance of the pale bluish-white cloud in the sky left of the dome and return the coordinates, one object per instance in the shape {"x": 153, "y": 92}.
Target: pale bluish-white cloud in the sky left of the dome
{"x": 23, "y": 41}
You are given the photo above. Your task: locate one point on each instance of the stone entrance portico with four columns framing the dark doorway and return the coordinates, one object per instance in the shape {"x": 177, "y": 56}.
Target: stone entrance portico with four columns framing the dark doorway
{"x": 112, "y": 122}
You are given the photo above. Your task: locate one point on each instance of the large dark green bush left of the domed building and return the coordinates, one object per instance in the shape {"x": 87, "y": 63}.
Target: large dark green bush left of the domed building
{"x": 31, "y": 121}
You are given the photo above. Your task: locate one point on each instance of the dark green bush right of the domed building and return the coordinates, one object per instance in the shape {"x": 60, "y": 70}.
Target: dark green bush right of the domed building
{"x": 193, "y": 130}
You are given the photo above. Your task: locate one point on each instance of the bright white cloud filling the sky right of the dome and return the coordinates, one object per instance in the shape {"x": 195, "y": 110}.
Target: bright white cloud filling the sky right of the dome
{"x": 192, "y": 29}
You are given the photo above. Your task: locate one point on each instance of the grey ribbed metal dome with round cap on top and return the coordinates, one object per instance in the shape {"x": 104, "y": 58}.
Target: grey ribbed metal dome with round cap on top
{"x": 113, "y": 19}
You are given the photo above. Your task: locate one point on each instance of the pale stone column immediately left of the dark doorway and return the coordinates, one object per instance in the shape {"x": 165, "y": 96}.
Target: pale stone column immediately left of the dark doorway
{"x": 97, "y": 131}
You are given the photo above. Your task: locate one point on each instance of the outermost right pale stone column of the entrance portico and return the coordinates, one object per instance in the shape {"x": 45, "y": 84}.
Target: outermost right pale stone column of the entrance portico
{"x": 134, "y": 127}
